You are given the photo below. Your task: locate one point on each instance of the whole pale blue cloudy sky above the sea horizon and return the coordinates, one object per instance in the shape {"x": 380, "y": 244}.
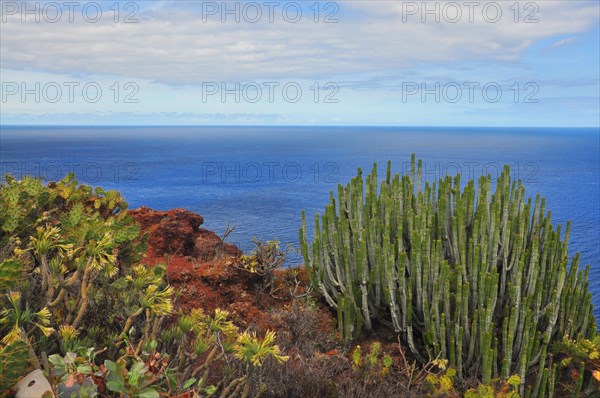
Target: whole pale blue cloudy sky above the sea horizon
{"x": 396, "y": 63}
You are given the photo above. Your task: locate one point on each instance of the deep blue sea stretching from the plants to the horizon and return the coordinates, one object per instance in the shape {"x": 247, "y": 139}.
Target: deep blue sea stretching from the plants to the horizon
{"x": 260, "y": 178}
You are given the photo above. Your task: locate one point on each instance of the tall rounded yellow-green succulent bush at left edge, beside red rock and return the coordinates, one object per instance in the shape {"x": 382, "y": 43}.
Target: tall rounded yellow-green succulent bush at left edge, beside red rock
{"x": 66, "y": 251}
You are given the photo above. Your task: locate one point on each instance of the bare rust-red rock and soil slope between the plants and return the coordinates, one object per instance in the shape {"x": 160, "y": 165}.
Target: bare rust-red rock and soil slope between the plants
{"x": 202, "y": 268}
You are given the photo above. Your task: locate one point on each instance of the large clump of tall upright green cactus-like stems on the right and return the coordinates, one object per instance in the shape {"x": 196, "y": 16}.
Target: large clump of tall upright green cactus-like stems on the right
{"x": 479, "y": 277}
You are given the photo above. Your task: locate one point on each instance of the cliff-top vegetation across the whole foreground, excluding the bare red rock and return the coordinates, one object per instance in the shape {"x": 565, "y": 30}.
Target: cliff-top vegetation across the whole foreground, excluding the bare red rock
{"x": 436, "y": 291}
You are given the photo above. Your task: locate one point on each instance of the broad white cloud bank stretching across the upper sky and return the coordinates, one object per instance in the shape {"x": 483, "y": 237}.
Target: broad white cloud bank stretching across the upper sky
{"x": 172, "y": 45}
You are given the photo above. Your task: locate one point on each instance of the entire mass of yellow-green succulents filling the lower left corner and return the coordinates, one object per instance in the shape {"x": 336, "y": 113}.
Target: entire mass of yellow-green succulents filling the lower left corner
{"x": 77, "y": 302}
